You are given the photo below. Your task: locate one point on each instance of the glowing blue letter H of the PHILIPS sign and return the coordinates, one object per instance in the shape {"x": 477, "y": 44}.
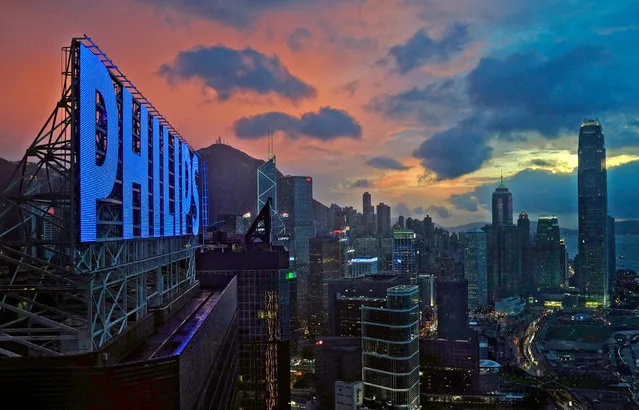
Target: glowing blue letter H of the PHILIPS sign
{"x": 135, "y": 168}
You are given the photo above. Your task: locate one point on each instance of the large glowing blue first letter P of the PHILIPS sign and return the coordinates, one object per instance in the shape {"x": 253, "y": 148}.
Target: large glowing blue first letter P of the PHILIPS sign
{"x": 96, "y": 181}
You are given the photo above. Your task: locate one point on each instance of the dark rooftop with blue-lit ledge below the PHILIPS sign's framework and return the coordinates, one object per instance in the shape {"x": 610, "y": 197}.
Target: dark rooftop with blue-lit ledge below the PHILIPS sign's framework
{"x": 193, "y": 366}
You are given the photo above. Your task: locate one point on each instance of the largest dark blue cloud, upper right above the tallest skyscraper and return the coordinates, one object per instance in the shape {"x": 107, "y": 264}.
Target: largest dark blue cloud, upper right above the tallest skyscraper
{"x": 531, "y": 92}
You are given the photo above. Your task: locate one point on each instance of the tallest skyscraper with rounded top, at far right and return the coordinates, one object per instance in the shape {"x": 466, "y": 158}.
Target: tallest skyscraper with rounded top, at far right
{"x": 593, "y": 210}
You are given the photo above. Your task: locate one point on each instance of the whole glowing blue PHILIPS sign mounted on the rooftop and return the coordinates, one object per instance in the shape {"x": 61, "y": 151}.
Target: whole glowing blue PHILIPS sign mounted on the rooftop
{"x": 136, "y": 179}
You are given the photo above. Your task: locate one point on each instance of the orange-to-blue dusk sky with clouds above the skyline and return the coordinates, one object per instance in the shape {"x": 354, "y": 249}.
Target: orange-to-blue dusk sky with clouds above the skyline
{"x": 420, "y": 102}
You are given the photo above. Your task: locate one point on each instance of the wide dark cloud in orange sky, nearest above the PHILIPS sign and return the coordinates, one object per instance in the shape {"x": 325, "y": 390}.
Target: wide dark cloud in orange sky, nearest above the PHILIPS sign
{"x": 228, "y": 71}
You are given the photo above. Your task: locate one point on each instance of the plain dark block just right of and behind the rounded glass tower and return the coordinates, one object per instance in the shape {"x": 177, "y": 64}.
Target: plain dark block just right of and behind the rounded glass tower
{"x": 452, "y": 308}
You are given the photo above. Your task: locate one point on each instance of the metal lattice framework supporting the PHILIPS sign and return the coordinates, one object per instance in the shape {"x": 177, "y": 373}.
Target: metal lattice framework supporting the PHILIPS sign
{"x": 57, "y": 295}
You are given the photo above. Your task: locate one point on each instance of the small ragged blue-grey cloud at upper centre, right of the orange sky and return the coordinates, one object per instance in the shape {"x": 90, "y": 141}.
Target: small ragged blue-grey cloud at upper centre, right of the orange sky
{"x": 422, "y": 49}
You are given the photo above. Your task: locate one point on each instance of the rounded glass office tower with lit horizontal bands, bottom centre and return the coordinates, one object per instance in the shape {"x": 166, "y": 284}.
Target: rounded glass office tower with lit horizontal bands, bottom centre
{"x": 390, "y": 350}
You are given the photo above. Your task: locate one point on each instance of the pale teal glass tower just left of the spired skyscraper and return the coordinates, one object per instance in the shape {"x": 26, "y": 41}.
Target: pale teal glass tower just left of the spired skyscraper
{"x": 476, "y": 268}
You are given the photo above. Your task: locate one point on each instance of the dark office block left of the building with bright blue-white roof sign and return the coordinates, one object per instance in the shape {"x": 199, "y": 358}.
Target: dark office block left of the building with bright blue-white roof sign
{"x": 326, "y": 256}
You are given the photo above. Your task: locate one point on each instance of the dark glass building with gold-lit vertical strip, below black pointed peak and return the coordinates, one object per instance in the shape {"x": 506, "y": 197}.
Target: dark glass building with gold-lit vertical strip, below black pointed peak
{"x": 263, "y": 298}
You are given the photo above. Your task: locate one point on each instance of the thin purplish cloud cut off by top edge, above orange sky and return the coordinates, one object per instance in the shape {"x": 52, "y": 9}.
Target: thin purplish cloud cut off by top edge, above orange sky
{"x": 237, "y": 13}
